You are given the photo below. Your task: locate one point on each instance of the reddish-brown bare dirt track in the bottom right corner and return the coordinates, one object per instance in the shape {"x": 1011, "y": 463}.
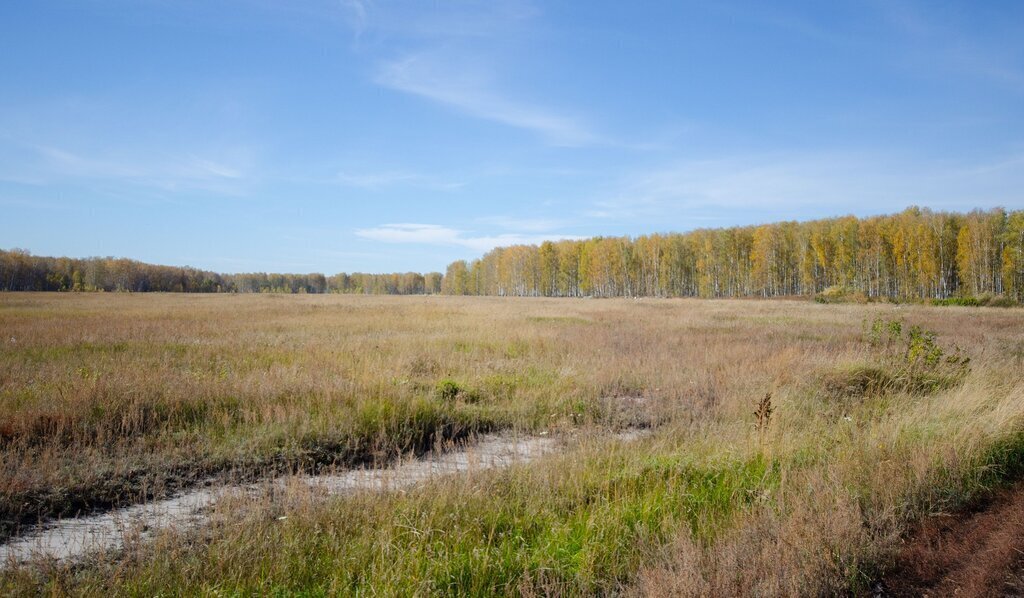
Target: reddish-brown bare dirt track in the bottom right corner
{"x": 979, "y": 553}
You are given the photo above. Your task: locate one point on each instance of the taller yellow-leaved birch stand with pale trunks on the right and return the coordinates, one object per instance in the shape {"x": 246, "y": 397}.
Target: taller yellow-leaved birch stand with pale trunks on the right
{"x": 918, "y": 253}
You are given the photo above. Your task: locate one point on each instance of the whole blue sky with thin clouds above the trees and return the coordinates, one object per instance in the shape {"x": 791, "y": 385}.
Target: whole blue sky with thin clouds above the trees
{"x": 344, "y": 136}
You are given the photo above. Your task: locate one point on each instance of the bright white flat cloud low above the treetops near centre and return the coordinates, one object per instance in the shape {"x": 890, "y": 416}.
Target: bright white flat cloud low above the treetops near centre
{"x": 446, "y": 236}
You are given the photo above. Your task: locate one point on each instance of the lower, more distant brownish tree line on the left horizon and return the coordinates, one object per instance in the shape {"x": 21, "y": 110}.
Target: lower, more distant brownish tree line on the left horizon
{"x": 21, "y": 271}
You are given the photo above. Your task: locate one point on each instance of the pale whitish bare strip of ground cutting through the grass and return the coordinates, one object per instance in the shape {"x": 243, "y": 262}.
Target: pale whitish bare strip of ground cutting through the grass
{"x": 72, "y": 539}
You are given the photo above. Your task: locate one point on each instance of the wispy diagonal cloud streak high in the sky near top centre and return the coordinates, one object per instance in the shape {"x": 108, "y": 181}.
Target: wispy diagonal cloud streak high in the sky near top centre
{"x": 437, "y": 79}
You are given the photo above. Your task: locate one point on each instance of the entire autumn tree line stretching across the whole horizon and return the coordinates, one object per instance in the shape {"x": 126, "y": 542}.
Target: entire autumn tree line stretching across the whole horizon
{"x": 917, "y": 254}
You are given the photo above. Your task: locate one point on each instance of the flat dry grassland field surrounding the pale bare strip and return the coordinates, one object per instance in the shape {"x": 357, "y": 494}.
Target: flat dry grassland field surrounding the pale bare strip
{"x": 793, "y": 445}
